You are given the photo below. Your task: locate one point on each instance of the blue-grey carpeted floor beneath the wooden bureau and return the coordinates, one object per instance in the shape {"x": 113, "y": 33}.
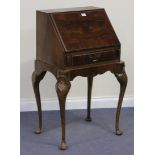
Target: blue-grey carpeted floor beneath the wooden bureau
{"x": 84, "y": 138}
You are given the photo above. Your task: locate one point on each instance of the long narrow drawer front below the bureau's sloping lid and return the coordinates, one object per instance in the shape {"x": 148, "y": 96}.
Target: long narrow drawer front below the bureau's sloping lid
{"x": 97, "y": 57}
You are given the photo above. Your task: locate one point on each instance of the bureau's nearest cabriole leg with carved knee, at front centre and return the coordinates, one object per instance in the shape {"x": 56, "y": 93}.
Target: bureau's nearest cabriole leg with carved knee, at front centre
{"x": 62, "y": 88}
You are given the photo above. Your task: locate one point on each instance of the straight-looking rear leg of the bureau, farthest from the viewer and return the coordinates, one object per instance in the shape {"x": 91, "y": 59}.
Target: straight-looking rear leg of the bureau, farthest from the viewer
{"x": 90, "y": 83}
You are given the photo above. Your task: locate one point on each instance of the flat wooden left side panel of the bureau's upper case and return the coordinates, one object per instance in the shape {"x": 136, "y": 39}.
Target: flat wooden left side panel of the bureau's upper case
{"x": 49, "y": 48}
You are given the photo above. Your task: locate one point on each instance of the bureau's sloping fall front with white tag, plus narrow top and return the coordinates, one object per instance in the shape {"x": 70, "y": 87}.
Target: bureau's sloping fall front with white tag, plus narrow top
{"x": 83, "y": 28}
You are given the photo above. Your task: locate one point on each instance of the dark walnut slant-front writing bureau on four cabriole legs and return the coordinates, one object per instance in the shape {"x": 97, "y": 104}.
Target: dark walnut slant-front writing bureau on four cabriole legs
{"x": 76, "y": 42}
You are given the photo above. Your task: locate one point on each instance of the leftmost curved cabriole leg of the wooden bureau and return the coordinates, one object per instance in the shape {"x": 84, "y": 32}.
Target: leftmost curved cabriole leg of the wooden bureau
{"x": 35, "y": 81}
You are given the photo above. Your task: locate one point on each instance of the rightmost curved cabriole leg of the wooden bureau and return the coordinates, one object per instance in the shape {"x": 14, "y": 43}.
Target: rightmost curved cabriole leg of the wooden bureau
{"x": 122, "y": 79}
